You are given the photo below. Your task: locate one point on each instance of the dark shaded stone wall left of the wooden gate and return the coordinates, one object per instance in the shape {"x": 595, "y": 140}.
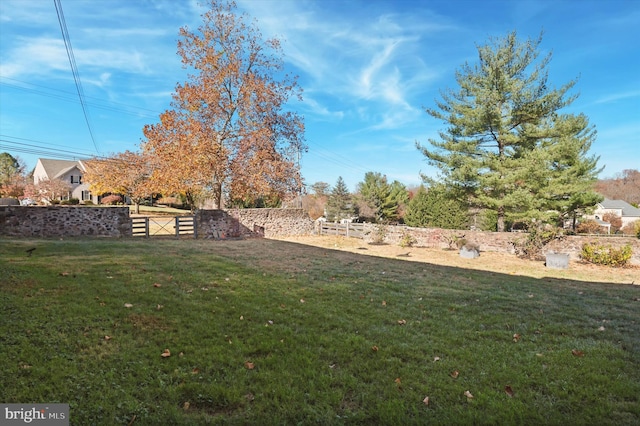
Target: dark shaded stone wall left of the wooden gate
{"x": 64, "y": 221}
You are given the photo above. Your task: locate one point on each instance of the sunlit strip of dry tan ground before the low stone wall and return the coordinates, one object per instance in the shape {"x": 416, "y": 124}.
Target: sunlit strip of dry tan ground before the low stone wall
{"x": 488, "y": 261}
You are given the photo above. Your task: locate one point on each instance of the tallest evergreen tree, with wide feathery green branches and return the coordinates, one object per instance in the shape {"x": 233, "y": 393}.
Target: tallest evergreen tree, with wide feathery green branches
{"x": 507, "y": 148}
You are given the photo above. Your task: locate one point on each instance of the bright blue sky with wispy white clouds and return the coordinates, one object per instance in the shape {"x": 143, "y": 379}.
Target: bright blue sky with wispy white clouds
{"x": 368, "y": 69}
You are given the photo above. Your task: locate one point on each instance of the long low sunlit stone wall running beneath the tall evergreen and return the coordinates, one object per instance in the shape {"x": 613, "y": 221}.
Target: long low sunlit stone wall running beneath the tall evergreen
{"x": 501, "y": 242}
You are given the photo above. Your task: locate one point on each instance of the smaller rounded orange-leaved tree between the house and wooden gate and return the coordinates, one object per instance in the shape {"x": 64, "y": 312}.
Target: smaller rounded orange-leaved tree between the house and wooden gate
{"x": 126, "y": 173}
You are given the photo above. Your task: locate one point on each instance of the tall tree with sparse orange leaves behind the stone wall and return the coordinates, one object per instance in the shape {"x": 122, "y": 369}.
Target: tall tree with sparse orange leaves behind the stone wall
{"x": 228, "y": 133}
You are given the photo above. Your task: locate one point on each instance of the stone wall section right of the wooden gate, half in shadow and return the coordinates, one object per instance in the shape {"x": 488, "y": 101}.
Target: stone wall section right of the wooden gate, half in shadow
{"x": 252, "y": 223}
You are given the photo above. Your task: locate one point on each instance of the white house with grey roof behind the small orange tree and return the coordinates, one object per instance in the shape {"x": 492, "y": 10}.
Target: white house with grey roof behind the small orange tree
{"x": 68, "y": 171}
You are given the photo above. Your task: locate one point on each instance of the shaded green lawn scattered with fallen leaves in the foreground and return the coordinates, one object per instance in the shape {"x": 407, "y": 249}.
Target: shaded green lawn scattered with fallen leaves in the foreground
{"x": 270, "y": 332}
